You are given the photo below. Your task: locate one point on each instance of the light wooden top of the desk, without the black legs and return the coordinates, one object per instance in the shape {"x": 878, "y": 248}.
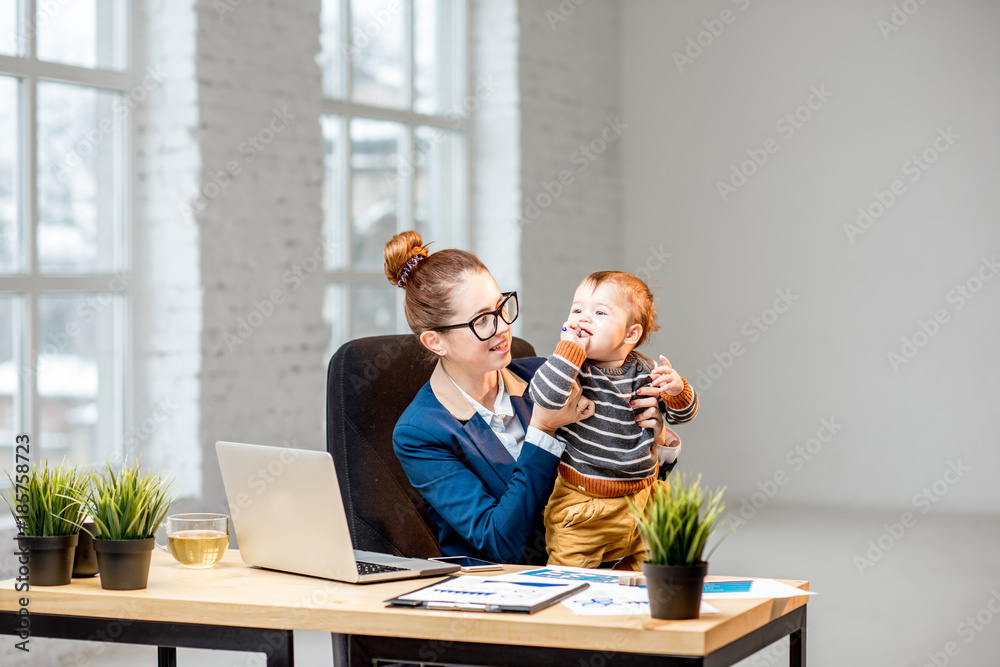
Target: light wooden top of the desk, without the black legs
{"x": 236, "y": 595}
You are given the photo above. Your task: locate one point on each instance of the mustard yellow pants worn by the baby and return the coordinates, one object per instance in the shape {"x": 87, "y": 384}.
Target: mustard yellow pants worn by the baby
{"x": 582, "y": 530}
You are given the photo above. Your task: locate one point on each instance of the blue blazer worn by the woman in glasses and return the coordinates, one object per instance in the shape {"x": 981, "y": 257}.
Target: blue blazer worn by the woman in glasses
{"x": 484, "y": 503}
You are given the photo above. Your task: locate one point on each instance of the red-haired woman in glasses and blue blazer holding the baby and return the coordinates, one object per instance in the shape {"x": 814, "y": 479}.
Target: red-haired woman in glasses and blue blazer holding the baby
{"x": 482, "y": 456}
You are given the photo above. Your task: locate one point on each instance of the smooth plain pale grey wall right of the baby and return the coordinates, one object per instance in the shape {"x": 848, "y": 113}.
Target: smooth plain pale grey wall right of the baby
{"x": 892, "y": 91}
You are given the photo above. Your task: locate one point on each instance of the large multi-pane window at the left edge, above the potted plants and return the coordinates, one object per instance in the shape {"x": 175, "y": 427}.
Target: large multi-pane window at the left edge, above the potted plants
{"x": 65, "y": 94}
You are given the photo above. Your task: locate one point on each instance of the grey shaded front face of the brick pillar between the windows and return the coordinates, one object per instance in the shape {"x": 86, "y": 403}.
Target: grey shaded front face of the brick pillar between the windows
{"x": 263, "y": 336}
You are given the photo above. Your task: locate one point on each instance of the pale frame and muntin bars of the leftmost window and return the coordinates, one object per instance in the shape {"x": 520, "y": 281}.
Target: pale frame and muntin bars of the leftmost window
{"x": 29, "y": 284}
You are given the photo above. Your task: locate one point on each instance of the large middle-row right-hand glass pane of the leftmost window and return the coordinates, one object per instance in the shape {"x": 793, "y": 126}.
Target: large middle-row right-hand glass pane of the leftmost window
{"x": 80, "y": 165}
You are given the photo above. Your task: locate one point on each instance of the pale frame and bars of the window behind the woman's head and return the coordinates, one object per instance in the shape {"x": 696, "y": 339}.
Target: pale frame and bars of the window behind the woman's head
{"x": 460, "y": 232}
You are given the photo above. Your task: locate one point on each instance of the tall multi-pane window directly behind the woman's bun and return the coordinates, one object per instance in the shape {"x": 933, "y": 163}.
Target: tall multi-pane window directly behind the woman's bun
{"x": 395, "y": 129}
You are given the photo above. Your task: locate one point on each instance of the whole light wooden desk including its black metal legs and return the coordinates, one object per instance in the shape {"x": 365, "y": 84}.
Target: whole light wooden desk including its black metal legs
{"x": 234, "y": 607}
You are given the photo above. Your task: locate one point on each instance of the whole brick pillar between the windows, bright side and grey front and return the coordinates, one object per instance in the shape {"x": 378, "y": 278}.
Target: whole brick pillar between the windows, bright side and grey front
{"x": 230, "y": 154}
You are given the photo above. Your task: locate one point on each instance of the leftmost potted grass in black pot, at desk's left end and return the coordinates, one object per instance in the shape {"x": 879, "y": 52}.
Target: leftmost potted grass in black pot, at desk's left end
{"x": 47, "y": 504}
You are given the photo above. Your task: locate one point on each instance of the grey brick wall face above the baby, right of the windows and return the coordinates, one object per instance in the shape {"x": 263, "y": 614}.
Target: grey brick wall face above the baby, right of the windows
{"x": 569, "y": 72}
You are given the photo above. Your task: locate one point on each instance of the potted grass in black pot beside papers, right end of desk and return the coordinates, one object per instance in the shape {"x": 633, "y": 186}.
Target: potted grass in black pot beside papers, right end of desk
{"x": 676, "y": 525}
